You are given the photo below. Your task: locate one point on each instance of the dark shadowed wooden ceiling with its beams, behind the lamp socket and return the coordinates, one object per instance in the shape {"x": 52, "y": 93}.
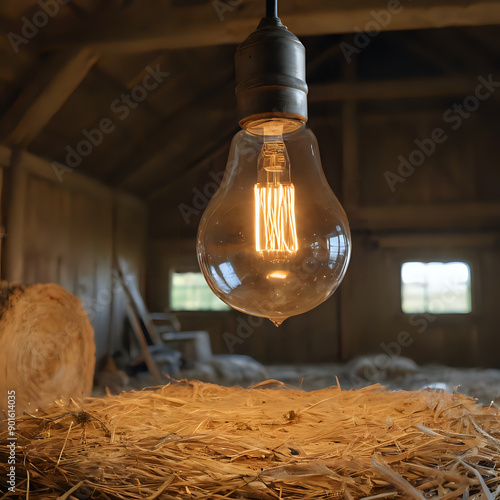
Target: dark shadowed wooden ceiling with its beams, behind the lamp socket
{"x": 138, "y": 94}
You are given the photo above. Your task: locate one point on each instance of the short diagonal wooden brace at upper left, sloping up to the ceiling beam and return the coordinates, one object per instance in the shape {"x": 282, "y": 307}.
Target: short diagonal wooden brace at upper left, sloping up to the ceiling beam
{"x": 45, "y": 95}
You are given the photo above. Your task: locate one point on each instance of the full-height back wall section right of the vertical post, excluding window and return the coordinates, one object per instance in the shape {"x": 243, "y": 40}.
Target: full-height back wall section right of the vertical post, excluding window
{"x": 447, "y": 209}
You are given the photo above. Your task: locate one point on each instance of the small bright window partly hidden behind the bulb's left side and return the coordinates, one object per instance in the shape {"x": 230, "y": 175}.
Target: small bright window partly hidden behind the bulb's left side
{"x": 190, "y": 292}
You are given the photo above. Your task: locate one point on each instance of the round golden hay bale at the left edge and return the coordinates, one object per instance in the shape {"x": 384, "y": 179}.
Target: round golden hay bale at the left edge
{"x": 48, "y": 349}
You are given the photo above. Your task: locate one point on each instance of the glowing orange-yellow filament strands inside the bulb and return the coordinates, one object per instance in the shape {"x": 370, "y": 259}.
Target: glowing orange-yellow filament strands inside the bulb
{"x": 275, "y": 230}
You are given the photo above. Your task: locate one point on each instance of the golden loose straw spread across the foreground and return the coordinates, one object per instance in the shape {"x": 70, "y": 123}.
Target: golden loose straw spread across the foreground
{"x": 196, "y": 440}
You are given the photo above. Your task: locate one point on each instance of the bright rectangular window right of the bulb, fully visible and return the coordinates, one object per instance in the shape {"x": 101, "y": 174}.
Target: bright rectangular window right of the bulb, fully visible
{"x": 436, "y": 287}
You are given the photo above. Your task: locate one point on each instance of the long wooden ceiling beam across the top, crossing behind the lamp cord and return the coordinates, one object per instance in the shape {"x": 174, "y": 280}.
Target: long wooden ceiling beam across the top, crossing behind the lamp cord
{"x": 161, "y": 26}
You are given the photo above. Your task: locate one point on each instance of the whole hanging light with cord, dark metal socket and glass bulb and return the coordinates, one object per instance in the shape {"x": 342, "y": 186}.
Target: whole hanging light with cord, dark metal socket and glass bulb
{"x": 274, "y": 240}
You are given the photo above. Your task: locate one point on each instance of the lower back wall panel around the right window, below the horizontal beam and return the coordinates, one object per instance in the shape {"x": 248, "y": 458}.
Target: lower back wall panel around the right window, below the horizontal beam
{"x": 380, "y": 327}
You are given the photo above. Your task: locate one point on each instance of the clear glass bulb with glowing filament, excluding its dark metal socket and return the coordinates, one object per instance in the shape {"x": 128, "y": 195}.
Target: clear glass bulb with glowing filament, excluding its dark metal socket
{"x": 274, "y": 240}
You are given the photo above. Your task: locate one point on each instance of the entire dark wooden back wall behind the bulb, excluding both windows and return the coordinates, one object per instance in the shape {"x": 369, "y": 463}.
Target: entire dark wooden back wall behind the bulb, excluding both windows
{"x": 447, "y": 209}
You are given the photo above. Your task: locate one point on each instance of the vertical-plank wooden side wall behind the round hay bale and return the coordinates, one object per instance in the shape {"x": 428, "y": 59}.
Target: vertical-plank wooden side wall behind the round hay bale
{"x": 66, "y": 230}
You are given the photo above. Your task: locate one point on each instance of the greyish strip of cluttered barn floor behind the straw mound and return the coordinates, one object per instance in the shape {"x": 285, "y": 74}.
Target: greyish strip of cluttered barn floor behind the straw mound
{"x": 399, "y": 374}
